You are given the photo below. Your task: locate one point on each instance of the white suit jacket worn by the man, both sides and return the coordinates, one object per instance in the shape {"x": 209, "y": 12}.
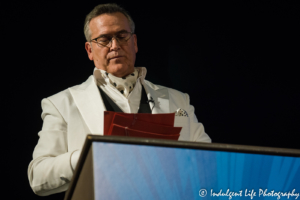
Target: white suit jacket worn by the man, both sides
{"x": 77, "y": 111}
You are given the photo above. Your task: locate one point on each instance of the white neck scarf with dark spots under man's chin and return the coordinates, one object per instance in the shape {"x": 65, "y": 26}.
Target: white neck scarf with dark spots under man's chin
{"x": 125, "y": 84}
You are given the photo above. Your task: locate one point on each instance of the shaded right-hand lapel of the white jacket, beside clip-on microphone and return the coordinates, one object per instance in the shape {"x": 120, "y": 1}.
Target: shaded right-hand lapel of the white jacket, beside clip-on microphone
{"x": 160, "y": 97}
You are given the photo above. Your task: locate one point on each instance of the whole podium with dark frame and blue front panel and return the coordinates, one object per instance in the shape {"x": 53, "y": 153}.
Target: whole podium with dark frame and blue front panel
{"x": 112, "y": 167}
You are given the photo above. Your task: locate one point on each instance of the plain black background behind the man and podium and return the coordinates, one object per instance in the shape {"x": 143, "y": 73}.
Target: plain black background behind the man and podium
{"x": 238, "y": 61}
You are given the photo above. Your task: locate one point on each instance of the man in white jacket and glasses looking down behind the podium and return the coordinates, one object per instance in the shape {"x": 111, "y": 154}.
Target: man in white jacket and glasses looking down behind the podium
{"x": 115, "y": 85}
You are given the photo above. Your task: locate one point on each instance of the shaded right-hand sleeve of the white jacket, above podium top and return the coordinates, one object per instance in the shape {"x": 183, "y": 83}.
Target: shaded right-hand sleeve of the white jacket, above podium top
{"x": 197, "y": 133}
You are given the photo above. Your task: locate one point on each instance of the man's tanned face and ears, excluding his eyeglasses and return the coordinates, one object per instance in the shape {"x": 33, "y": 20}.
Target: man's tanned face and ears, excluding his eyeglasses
{"x": 116, "y": 59}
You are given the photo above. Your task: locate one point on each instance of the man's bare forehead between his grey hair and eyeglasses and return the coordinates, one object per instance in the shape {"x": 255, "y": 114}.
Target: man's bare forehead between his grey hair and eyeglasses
{"x": 109, "y": 23}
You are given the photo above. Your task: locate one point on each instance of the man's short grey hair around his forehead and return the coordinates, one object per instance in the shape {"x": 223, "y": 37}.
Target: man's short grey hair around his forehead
{"x": 102, "y": 9}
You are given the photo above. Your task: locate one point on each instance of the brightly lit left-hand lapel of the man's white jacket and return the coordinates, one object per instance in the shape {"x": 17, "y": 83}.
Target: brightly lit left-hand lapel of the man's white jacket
{"x": 88, "y": 101}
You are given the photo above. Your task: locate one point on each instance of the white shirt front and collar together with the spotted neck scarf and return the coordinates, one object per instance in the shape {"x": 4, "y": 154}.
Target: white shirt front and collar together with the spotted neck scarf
{"x": 129, "y": 100}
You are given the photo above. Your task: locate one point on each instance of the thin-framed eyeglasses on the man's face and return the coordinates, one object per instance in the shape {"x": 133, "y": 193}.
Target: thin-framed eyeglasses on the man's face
{"x": 106, "y": 40}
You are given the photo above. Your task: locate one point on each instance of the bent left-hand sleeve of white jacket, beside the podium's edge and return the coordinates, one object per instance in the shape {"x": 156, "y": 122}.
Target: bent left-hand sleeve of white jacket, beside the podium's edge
{"x": 50, "y": 170}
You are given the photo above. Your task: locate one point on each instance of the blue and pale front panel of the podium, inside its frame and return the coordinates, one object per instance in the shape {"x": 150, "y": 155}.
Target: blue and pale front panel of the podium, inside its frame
{"x": 138, "y": 171}
